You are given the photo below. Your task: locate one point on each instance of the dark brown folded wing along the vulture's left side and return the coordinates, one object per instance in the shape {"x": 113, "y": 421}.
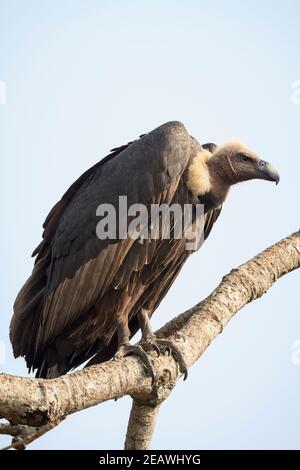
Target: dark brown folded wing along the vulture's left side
{"x": 74, "y": 268}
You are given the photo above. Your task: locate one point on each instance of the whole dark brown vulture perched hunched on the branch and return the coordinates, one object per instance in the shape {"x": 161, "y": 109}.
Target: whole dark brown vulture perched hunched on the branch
{"x": 88, "y": 295}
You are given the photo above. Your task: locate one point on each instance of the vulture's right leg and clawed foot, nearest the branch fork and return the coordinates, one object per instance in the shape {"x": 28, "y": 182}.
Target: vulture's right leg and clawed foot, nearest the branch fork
{"x": 149, "y": 340}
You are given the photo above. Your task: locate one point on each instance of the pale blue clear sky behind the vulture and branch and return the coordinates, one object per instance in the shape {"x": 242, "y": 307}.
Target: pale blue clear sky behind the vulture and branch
{"x": 85, "y": 76}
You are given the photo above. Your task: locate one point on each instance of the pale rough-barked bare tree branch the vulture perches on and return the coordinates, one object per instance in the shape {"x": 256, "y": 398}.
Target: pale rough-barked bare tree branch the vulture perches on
{"x": 39, "y": 402}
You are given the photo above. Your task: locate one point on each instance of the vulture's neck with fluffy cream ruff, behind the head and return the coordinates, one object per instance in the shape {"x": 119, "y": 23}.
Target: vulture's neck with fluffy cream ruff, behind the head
{"x": 207, "y": 181}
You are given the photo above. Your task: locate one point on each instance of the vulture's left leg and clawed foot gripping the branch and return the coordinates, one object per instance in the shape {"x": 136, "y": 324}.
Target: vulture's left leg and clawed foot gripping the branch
{"x": 125, "y": 348}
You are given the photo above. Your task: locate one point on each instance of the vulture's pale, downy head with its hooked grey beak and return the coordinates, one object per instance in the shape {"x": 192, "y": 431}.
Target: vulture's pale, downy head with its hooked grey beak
{"x": 235, "y": 163}
